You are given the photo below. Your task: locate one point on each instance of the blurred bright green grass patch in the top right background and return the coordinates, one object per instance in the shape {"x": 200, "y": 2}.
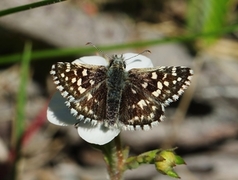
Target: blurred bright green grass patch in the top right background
{"x": 206, "y": 16}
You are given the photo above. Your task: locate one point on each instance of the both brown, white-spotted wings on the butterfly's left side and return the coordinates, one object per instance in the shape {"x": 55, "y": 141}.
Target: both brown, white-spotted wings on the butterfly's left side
{"x": 84, "y": 87}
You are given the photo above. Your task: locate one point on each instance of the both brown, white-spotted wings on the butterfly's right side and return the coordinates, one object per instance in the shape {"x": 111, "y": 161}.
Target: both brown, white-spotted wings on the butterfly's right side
{"x": 147, "y": 91}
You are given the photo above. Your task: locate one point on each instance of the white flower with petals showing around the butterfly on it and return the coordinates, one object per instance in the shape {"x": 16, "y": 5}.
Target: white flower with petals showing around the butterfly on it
{"x": 59, "y": 114}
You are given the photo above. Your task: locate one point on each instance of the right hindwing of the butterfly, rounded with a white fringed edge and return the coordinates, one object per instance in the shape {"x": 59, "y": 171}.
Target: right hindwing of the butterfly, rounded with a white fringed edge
{"x": 138, "y": 110}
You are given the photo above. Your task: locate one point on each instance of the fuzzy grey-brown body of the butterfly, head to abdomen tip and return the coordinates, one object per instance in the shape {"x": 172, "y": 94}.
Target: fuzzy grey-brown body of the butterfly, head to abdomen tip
{"x": 116, "y": 77}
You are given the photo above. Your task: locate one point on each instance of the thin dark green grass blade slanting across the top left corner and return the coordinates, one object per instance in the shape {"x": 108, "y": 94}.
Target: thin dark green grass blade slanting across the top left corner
{"x": 28, "y": 7}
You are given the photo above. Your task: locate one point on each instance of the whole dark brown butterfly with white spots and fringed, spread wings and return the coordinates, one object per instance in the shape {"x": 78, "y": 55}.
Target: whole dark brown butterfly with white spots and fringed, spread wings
{"x": 120, "y": 98}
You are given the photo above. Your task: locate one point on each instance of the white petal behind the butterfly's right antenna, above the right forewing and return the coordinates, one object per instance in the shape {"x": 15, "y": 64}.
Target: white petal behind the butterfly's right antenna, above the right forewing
{"x": 137, "y": 61}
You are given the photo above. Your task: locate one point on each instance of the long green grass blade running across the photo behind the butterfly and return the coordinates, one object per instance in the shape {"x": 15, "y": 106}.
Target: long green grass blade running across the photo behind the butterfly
{"x": 46, "y": 54}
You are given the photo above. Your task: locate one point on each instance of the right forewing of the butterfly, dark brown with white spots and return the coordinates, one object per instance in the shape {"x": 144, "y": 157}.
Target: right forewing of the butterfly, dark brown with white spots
{"x": 165, "y": 84}
